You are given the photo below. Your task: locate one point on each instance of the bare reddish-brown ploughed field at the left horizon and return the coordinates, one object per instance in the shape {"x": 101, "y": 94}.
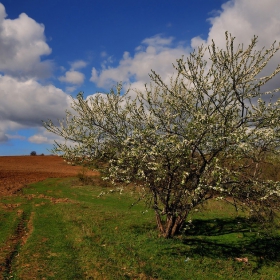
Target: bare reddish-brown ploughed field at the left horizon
{"x": 18, "y": 171}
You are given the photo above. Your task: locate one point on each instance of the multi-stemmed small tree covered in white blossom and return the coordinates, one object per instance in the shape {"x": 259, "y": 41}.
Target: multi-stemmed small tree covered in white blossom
{"x": 204, "y": 135}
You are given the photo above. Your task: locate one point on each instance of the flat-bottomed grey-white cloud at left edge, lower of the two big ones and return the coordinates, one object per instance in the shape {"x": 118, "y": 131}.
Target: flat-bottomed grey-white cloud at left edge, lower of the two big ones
{"x": 26, "y": 103}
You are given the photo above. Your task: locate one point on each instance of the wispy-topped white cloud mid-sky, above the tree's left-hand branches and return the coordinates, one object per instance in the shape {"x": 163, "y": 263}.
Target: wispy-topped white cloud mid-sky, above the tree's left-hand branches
{"x": 155, "y": 53}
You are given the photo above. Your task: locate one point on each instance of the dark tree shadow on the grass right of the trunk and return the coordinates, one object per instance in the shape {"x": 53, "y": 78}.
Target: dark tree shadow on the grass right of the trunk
{"x": 235, "y": 237}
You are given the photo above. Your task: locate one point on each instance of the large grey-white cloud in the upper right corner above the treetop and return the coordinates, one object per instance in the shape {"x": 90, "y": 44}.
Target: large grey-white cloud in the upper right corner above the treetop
{"x": 244, "y": 19}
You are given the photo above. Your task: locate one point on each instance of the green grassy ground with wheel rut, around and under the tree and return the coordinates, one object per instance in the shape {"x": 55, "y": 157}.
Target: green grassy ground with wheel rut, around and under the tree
{"x": 69, "y": 232}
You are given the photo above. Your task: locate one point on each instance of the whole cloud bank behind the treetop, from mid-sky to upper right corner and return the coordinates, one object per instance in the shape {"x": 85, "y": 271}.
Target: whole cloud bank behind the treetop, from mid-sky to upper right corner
{"x": 243, "y": 19}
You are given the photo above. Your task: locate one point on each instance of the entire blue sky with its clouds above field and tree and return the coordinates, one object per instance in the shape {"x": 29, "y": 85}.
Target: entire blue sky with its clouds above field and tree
{"x": 50, "y": 50}
